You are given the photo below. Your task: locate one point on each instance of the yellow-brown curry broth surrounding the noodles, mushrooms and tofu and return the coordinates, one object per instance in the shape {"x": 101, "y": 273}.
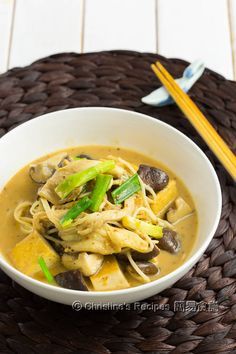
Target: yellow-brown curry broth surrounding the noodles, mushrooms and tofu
{"x": 21, "y": 188}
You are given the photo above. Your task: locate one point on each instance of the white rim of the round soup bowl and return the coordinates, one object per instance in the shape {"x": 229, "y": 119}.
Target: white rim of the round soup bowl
{"x": 188, "y": 264}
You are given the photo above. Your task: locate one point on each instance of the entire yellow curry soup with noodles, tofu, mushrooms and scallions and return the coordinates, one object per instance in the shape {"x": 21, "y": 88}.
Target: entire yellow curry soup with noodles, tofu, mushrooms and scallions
{"x": 96, "y": 218}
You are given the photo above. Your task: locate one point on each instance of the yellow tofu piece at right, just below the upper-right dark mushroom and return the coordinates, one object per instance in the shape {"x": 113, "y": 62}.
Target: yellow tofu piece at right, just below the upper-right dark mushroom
{"x": 165, "y": 198}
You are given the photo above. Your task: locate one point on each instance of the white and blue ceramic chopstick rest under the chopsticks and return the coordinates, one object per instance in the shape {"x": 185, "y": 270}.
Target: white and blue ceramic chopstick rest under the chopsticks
{"x": 160, "y": 97}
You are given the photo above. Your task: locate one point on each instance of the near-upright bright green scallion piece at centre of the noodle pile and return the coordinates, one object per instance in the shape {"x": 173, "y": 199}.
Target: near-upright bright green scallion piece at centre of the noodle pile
{"x": 101, "y": 186}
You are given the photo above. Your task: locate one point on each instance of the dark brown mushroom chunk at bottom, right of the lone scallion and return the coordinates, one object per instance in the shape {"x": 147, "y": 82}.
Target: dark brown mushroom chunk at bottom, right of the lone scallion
{"x": 71, "y": 279}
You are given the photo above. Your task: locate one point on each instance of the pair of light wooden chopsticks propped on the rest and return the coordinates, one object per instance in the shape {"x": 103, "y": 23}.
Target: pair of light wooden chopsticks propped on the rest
{"x": 198, "y": 120}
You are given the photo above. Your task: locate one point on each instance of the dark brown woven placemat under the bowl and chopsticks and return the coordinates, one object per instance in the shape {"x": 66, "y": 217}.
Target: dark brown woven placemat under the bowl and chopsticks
{"x": 29, "y": 324}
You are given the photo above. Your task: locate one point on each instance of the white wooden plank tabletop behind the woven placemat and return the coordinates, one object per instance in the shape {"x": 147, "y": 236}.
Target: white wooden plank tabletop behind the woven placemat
{"x": 188, "y": 29}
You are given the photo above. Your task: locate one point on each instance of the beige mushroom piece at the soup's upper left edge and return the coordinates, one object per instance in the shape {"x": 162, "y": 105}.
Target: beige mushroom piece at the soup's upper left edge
{"x": 42, "y": 171}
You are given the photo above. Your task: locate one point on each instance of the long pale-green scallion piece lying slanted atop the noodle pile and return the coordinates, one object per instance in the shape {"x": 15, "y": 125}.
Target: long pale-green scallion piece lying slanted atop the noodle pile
{"x": 80, "y": 178}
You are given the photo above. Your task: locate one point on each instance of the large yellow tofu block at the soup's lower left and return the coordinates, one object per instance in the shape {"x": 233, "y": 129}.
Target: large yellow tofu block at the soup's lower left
{"x": 26, "y": 253}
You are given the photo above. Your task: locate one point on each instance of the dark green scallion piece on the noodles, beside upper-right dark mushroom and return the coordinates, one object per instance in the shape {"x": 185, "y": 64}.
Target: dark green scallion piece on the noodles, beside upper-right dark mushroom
{"x": 128, "y": 188}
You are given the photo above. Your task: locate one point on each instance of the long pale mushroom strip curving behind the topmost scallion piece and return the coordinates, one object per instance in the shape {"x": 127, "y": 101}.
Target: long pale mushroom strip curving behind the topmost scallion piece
{"x": 48, "y": 190}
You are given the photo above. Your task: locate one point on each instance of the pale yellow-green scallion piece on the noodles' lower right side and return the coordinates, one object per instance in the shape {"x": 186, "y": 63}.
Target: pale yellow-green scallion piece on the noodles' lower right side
{"x": 135, "y": 224}
